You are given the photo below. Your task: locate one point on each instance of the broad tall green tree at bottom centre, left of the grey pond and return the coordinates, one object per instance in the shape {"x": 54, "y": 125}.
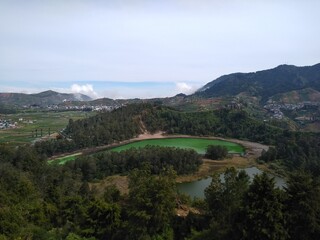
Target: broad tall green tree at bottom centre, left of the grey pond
{"x": 152, "y": 202}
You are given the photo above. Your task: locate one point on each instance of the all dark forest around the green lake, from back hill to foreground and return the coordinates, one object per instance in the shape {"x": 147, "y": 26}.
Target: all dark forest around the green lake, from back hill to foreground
{"x": 48, "y": 201}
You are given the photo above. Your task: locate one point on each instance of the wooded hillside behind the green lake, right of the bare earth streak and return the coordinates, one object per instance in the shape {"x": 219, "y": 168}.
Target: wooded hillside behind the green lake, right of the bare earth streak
{"x": 223, "y": 123}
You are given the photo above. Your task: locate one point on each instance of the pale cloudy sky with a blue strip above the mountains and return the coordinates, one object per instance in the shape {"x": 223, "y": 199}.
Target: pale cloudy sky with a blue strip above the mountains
{"x": 147, "y": 48}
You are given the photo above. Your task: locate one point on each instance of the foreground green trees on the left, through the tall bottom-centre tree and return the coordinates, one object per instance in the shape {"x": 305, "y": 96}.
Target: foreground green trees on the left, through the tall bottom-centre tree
{"x": 41, "y": 201}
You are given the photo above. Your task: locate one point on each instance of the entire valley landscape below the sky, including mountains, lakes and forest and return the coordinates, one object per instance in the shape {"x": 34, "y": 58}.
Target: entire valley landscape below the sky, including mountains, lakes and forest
{"x": 66, "y": 170}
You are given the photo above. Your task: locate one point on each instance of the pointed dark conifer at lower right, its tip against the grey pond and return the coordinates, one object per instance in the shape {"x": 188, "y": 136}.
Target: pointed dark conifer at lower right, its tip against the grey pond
{"x": 263, "y": 216}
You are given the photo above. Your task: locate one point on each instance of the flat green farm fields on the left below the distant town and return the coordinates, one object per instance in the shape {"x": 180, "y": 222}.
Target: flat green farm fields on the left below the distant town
{"x": 29, "y": 125}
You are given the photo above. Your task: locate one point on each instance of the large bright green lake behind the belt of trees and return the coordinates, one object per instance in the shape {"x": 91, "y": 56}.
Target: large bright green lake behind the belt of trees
{"x": 197, "y": 144}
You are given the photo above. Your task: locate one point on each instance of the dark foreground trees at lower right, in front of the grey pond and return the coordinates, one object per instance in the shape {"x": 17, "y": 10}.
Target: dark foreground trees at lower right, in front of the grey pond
{"x": 241, "y": 210}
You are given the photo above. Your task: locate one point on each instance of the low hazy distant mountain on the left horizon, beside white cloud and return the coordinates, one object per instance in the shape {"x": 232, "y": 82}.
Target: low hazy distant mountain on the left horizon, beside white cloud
{"x": 40, "y": 99}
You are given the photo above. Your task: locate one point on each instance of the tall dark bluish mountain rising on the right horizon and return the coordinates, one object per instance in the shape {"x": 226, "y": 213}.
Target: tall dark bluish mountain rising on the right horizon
{"x": 264, "y": 84}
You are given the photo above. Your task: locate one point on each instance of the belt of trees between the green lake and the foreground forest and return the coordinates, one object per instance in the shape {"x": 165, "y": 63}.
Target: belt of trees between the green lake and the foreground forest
{"x": 100, "y": 165}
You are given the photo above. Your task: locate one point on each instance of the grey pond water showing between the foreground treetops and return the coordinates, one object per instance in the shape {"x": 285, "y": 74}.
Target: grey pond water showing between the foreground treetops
{"x": 196, "y": 188}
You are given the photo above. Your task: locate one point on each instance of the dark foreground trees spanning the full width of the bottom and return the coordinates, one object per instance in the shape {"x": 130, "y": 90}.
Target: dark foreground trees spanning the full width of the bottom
{"x": 41, "y": 201}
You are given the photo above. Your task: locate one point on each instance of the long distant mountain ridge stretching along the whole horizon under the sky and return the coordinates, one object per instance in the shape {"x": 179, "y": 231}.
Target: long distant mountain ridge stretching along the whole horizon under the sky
{"x": 263, "y": 85}
